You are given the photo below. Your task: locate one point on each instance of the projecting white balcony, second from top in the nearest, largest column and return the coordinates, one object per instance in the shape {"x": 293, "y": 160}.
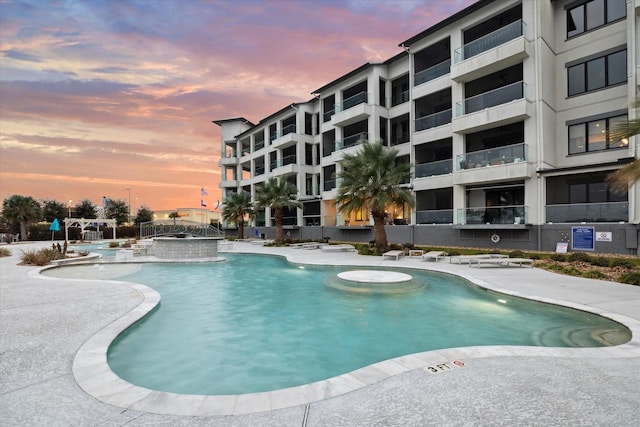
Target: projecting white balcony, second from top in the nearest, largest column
{"x": 497, "y": 107}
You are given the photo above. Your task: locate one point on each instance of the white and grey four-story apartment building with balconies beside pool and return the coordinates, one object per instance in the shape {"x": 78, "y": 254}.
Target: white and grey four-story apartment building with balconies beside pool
{"x": 504, "y": 111}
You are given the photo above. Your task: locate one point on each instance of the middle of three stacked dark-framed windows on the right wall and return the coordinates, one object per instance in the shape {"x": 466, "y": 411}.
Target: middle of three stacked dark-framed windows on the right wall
{"x": 608, "y": 70}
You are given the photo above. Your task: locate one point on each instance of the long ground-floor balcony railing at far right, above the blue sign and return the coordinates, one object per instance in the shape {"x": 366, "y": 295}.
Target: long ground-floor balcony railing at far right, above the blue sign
{"x": 588, "y": 212}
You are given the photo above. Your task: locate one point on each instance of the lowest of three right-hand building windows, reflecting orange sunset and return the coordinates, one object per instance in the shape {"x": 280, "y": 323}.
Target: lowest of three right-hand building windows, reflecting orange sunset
{"x": 595, "y": 135}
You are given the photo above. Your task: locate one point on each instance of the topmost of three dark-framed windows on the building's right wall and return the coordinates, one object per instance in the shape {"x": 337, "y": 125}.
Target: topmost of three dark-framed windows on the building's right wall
{"x": 594, "y": 14}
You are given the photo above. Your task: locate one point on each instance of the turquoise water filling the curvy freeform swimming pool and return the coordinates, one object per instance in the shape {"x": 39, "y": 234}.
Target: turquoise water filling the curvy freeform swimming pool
{"x": 258, "y": 323}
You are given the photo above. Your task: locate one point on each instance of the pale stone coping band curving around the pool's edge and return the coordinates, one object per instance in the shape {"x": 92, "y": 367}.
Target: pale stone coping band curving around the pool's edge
{"x": 94, "y": 376}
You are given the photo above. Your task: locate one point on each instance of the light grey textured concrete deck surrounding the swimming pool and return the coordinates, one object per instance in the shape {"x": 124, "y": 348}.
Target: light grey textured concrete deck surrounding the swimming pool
{"x": 44, "y": 323}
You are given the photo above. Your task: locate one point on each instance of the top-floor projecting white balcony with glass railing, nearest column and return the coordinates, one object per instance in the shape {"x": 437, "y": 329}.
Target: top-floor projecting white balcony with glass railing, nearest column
{"x": 500, "y": 49}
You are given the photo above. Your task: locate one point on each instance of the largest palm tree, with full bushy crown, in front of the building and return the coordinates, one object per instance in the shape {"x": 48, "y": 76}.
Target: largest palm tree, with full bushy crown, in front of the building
{"x": 370, "y": 180}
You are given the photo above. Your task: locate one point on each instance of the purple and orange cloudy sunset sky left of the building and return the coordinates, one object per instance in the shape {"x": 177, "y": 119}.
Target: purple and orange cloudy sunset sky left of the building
{"x": 97, "y": 97}
